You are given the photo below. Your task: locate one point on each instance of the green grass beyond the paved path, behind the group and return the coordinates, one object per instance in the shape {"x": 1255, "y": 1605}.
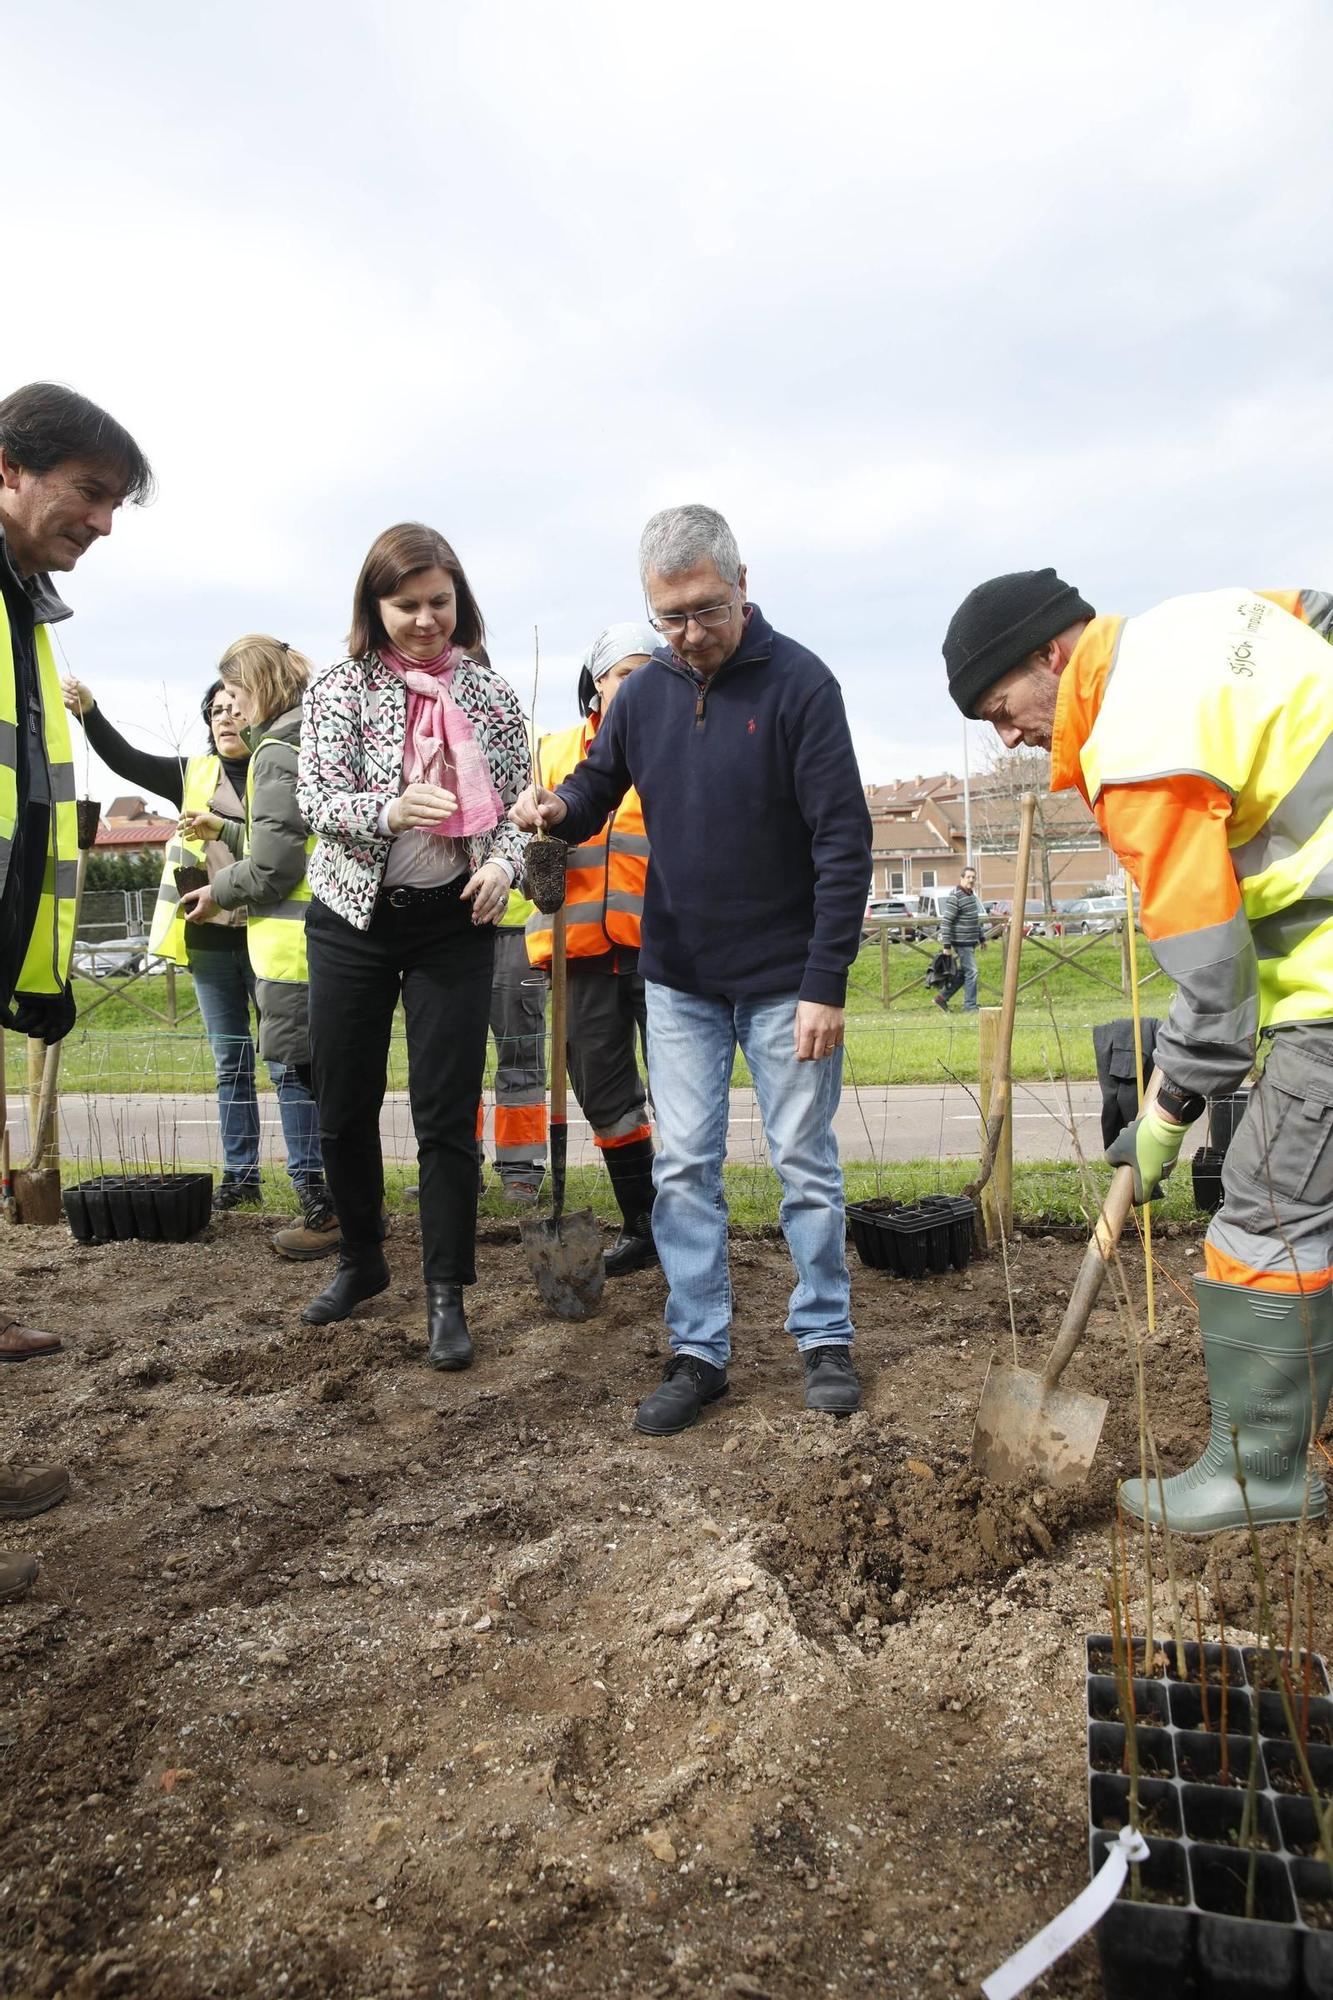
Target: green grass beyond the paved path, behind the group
{"x": 121, "y": 1049}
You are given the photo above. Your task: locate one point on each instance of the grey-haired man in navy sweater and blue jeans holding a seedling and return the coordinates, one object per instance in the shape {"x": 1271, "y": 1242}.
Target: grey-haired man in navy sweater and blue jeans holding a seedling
{"x": 738, "y": 743}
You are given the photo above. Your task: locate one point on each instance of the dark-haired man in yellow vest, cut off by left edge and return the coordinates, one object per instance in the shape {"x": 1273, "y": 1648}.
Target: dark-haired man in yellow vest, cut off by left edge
{"x": 65, "y": 471}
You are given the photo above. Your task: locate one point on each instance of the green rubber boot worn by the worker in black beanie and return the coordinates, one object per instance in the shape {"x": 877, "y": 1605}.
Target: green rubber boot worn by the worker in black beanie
{"x": 1258, "y": 1351}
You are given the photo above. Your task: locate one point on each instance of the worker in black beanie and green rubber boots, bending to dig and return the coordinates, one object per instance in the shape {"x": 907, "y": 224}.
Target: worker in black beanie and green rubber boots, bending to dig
{"x": 1202, "y": 737}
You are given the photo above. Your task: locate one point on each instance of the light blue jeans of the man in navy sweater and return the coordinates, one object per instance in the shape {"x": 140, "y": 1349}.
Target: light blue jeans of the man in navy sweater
{"x": 692, "y": 1049}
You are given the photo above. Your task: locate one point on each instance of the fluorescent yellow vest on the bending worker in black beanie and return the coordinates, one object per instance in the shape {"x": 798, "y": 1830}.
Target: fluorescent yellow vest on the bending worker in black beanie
{"x": 1228, "y": 687}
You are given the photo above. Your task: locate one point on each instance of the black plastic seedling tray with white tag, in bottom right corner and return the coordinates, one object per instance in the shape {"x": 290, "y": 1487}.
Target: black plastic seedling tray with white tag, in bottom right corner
{"x": 1190, "y": 1937}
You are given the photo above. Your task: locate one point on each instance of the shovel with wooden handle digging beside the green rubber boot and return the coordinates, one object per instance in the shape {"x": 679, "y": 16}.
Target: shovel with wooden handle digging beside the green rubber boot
{"x": 1030, "y": 1427}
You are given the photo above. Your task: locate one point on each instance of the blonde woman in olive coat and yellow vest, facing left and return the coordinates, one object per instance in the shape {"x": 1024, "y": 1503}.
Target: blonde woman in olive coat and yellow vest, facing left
{"x": 265, "y": 681}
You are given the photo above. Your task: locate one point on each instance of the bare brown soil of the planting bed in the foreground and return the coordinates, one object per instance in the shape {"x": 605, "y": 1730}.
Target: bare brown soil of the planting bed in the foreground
{"x": 347, "y": 1679}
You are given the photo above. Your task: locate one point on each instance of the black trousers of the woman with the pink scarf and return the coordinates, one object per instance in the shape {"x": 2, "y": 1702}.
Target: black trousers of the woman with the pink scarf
{"x": 441, "y": 963}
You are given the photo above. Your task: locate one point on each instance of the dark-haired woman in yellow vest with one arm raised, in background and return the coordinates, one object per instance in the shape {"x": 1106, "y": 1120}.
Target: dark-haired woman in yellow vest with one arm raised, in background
{"x": 209, "y": 789}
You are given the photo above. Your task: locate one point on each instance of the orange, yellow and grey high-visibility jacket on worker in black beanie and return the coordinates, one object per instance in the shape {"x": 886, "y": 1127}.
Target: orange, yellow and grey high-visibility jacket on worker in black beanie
{"x": 1202, "y": 737}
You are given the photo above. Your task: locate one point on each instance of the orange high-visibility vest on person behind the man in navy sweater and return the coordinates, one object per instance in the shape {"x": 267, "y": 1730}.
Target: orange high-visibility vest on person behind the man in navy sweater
{"x": 603, "y": 887}
